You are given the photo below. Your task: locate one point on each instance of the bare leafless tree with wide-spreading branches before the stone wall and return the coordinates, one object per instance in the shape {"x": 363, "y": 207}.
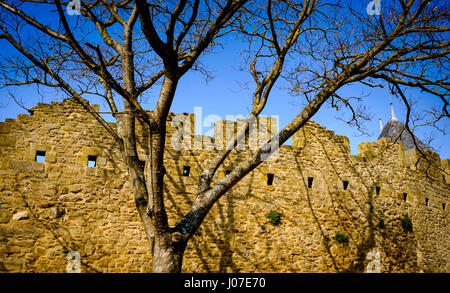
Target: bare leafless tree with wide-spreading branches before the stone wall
{"x": 317, "y": 46}
